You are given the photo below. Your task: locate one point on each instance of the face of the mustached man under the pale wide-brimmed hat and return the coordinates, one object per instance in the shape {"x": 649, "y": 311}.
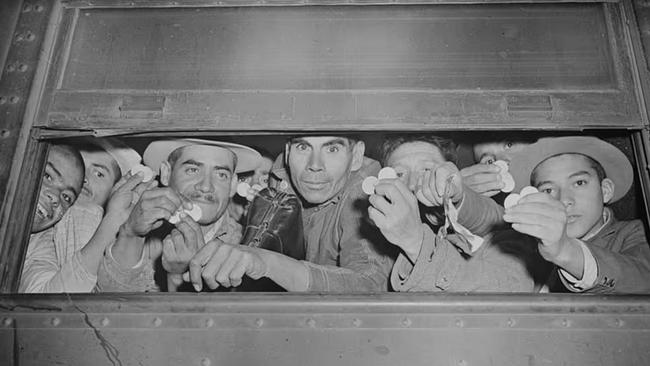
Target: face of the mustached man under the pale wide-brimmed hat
{"x": 204, "y": 175}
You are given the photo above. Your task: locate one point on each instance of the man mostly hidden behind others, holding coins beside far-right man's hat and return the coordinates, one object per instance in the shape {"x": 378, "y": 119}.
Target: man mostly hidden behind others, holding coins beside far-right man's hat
{"x": 483, "y": 177}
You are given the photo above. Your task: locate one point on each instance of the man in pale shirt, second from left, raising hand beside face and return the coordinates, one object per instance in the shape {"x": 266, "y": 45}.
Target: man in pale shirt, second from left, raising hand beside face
{"x": 68, "y": 259}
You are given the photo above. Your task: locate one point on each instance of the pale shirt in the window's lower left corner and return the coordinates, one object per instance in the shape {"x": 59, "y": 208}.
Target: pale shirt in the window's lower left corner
{"x": 52, "y": 263}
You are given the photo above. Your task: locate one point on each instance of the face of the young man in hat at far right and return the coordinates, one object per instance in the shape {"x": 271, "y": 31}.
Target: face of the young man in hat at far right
{"x": 572, "y": 180}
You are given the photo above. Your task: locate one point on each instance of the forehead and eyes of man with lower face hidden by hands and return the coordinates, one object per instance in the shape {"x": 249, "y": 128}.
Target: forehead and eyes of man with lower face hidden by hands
{"x": 412, "y": 159}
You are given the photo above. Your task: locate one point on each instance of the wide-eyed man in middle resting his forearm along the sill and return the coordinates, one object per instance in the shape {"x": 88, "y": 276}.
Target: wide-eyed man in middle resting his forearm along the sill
{"x": 344, "y": 252}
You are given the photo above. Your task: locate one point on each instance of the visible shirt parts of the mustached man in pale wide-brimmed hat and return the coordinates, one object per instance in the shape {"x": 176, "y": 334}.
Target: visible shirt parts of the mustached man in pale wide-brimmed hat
{"x": 114, "y": 277}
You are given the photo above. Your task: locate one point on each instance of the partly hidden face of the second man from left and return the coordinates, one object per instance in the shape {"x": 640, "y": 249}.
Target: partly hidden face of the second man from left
{"x": 102, "y": 172}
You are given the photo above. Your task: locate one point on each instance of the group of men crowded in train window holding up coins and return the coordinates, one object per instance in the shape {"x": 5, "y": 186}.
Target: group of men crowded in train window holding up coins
{"x": 99, "y": 227}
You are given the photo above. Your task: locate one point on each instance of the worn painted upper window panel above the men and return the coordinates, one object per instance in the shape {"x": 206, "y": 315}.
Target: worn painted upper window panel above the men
{"x": 277, "y": 68}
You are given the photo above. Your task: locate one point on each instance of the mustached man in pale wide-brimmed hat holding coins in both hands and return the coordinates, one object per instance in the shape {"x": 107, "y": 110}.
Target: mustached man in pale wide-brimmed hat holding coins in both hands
{"x": 192, "y": 172}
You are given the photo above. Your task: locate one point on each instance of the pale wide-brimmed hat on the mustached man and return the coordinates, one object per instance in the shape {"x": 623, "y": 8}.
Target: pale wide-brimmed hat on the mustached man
{"x": 158, "y": 151}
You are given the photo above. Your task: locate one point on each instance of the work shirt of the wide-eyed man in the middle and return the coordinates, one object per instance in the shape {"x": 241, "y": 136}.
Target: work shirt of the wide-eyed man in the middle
{"x": 345, "y": 251}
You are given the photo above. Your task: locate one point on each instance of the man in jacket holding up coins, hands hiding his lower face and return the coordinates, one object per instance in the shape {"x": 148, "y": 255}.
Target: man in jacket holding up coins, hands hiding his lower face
{"x": 427, "y": 176}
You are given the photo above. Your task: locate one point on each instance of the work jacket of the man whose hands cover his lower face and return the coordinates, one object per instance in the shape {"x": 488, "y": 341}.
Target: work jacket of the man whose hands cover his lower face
{"x": 507, "y": 261}
